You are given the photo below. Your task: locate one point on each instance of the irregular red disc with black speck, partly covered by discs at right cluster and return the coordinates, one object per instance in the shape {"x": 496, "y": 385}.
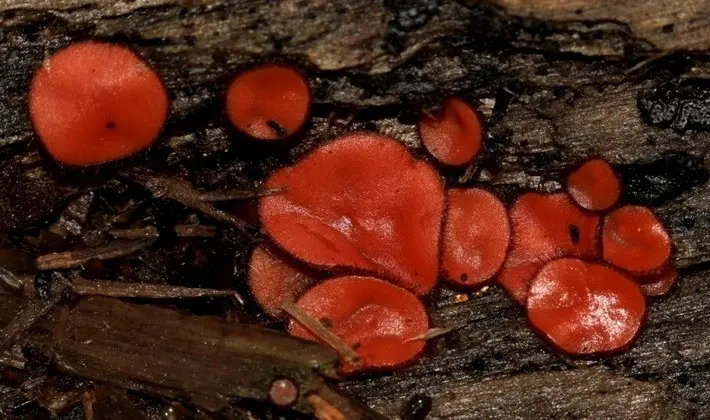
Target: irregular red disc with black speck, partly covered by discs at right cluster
{"x": 545, "y": 227}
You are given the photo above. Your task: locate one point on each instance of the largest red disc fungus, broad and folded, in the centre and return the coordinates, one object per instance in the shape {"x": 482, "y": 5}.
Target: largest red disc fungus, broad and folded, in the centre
{"x": 360, "y": 202}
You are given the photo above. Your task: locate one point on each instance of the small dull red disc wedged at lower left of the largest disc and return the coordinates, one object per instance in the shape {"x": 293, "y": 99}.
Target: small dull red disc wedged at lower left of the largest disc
{"x": 273, "y": 279}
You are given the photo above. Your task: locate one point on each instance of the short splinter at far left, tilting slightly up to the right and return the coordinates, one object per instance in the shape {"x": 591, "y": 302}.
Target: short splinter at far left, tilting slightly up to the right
{"x": 69, "y": 259}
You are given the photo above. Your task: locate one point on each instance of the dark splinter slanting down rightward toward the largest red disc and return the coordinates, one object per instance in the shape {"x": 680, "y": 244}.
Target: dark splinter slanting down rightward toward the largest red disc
{"x": 163, "y": 186}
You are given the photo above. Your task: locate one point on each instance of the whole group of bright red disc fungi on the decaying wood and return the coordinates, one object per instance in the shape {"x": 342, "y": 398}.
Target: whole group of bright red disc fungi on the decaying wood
{"x": 360, "y": 230}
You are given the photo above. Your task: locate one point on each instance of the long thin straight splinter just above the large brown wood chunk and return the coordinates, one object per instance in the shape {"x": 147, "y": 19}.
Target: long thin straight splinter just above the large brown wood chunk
{"x": 119, "y": 289}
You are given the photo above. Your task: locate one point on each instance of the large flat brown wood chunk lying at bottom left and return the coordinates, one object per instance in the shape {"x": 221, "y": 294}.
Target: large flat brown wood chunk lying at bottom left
{"x": 202, "y": 360}
